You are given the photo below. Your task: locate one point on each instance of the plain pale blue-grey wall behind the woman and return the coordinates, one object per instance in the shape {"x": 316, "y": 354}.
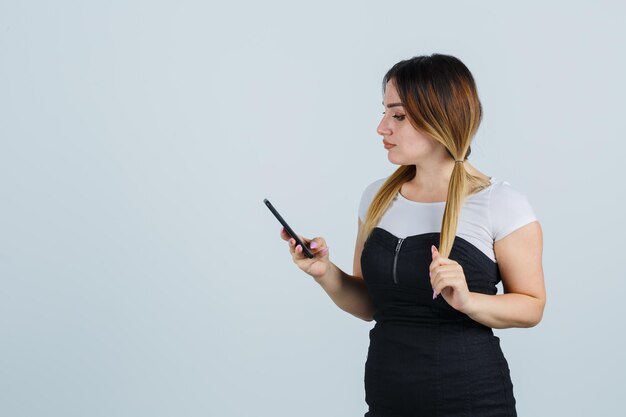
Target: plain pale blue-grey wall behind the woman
{"x": 142, "y": 275}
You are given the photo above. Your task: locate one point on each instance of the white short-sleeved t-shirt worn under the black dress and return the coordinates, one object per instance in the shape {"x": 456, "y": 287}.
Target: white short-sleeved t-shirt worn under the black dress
{"x": 486, "y": 216}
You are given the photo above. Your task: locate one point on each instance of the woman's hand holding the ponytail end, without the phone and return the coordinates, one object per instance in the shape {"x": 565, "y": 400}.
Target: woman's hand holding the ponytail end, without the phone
{"x": 447, "y": 278}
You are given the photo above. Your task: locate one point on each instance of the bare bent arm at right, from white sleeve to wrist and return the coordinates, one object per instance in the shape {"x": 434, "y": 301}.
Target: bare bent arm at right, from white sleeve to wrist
{"x": 522, "y": 304}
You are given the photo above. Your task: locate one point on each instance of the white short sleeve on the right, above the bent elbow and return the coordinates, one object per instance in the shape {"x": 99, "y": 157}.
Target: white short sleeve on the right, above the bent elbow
{"x": 509, "y": 209}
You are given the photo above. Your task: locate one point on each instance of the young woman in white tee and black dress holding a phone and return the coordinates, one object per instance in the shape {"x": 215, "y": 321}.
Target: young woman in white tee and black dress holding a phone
{"x": 434, "y": 239}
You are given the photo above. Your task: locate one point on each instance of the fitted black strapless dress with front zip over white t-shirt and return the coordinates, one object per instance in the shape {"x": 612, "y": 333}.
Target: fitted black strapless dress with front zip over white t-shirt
{"x": 425, "y": 358}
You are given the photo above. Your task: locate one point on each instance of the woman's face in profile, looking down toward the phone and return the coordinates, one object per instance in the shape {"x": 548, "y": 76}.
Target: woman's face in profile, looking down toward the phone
{"x": 410, "y": 146}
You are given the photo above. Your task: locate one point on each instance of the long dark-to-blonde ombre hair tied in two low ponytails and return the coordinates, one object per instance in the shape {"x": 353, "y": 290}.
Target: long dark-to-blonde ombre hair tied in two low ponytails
{"x": 441, "y": 100}
